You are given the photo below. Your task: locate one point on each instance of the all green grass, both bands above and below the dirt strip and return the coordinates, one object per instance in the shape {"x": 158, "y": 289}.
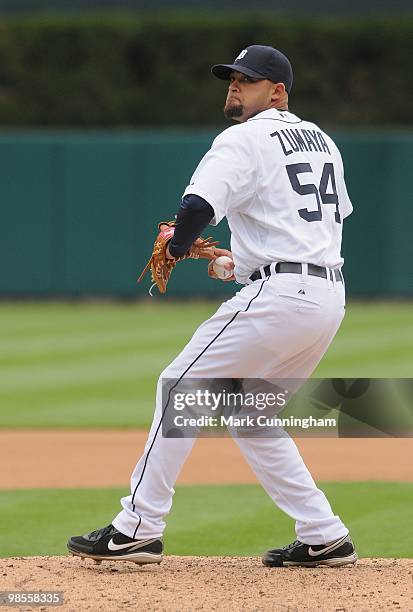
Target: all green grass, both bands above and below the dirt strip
{"x": 83, "y": 364}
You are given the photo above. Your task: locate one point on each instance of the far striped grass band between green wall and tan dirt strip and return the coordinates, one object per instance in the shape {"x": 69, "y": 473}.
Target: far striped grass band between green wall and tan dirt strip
{"x": 96, "y": 364}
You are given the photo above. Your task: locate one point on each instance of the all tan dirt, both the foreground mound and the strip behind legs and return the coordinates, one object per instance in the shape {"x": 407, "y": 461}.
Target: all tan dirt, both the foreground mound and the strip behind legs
{"x": 184, "y": 584}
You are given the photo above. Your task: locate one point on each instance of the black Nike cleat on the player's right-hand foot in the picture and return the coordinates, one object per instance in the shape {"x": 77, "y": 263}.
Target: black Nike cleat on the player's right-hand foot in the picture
{"x": 337, "y": 553}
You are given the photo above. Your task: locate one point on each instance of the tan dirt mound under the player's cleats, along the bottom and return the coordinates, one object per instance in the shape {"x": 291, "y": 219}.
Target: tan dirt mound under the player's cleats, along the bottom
{"x": 213, "y": 583}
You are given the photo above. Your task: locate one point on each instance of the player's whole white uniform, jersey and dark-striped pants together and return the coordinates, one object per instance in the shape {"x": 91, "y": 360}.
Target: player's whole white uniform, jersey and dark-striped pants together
{"x": 279, "y": 181}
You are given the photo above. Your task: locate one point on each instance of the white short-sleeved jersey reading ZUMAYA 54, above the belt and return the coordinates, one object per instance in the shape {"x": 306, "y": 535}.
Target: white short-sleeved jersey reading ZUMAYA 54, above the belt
{"x": 279, "y": 181}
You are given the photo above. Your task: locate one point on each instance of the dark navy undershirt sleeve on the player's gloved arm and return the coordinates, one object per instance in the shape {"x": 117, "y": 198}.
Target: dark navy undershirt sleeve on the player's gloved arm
{"x": 193, "y": 216}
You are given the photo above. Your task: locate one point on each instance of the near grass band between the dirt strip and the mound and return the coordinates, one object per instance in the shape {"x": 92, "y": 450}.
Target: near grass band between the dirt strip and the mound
{"x": 207, "y": 520}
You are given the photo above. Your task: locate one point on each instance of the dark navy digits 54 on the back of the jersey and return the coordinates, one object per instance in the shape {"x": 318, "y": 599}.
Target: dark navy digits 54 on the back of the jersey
{"x": 320, "y": 193}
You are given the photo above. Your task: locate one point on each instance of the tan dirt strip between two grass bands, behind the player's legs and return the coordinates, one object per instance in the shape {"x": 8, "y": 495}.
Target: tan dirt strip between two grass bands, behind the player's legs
{"x": 106, "y": 459}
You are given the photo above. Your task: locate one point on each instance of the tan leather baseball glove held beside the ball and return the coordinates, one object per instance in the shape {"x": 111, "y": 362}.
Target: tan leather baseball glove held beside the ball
{"x": 161, "y": 266}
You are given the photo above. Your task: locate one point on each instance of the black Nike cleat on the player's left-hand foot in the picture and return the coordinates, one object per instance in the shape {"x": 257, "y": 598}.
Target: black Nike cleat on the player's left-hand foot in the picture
{"x": 110, "y": 544}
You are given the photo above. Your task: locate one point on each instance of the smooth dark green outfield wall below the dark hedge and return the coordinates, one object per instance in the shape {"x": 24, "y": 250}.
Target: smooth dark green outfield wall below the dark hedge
{"x": 79, "y": 211}
